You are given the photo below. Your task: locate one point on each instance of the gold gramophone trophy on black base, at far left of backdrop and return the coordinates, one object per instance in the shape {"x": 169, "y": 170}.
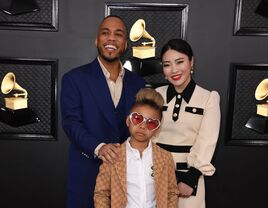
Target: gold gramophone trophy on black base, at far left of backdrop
{"x": 16, "y": 111}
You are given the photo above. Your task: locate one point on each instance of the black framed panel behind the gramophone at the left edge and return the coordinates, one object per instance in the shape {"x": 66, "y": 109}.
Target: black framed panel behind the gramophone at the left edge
{"x": 39, "y": 78}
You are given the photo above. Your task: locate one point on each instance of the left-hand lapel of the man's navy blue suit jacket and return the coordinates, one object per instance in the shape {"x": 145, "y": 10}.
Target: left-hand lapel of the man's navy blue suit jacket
{"x": 101, "y": 92}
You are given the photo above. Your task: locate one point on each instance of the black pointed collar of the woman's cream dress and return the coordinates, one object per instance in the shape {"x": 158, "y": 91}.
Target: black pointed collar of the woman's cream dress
{"x": 186, "y": 94}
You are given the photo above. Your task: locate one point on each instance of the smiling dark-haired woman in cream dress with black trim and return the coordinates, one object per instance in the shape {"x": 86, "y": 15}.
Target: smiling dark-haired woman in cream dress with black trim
{"x": 191, "y": 122}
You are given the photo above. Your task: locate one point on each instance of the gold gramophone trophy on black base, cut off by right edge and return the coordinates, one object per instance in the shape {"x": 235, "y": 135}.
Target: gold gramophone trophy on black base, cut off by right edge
{"x": 259, "y": 122}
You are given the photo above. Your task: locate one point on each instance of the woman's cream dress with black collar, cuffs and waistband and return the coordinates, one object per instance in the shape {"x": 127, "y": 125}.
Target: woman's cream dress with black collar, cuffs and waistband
{"x": 190, "y": 130}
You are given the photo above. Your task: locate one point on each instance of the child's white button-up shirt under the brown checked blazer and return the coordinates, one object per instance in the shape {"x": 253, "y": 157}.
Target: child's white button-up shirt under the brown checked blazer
{"x": 140, "y": 181}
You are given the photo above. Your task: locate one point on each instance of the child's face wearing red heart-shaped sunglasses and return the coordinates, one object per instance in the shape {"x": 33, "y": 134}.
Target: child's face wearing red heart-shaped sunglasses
{"x": 143, "y": 132}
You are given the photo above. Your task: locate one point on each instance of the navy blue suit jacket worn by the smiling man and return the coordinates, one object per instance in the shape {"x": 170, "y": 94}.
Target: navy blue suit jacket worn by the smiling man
{"x": 88, "y": 118}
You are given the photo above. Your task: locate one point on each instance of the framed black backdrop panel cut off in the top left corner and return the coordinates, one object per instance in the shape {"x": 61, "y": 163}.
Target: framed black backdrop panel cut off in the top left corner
{"x": 29, "y": 15}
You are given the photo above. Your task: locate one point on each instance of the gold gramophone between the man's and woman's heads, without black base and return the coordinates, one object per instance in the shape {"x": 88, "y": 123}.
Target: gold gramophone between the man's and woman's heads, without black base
{"x": 146, "y": 49}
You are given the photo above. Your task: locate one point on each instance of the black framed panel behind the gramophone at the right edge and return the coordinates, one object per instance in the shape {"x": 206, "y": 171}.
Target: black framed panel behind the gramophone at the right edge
{"x": 242, "y": 104}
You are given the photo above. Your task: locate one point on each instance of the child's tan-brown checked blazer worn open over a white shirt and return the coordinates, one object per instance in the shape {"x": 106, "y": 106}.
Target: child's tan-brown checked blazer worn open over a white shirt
{"x": 111, "y": 185}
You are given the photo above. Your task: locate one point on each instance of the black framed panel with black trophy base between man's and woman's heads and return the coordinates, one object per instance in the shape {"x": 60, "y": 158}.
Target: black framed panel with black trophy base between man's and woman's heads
{"x": 163, "y": 21}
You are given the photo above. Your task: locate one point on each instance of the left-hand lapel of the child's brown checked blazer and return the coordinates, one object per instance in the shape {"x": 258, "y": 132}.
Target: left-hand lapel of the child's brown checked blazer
{"x": 121, "y": 169}
